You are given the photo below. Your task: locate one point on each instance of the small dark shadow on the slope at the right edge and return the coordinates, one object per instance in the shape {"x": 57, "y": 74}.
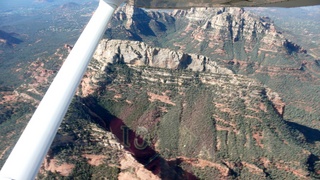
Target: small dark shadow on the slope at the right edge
{"x": 311, "y": 135}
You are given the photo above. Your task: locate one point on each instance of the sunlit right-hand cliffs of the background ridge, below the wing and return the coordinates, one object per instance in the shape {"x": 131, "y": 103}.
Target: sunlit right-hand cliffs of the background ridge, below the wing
{"x": 232, "y": 33}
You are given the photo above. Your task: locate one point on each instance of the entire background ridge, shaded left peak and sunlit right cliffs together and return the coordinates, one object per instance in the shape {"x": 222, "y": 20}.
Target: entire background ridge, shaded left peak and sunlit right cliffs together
{"x": 226, "y": 33}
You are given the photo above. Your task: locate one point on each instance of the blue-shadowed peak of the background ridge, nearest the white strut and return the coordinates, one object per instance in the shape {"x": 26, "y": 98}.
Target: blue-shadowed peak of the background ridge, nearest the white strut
{"x": 133, "y": 23}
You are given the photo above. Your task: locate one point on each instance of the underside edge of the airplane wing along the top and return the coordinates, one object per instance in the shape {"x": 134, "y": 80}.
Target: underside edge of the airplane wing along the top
{"x": 178, "y": 4}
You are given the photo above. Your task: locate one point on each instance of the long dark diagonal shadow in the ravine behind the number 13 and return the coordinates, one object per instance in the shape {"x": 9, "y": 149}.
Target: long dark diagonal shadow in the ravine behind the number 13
{"x": 133, "y": 143}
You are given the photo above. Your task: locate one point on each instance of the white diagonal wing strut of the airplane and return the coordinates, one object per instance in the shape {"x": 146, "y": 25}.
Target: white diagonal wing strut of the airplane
{"x": 29, "y": 152}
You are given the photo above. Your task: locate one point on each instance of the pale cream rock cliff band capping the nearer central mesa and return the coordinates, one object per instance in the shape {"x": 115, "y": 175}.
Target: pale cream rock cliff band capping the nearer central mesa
{"x": 141, "y": 54}
